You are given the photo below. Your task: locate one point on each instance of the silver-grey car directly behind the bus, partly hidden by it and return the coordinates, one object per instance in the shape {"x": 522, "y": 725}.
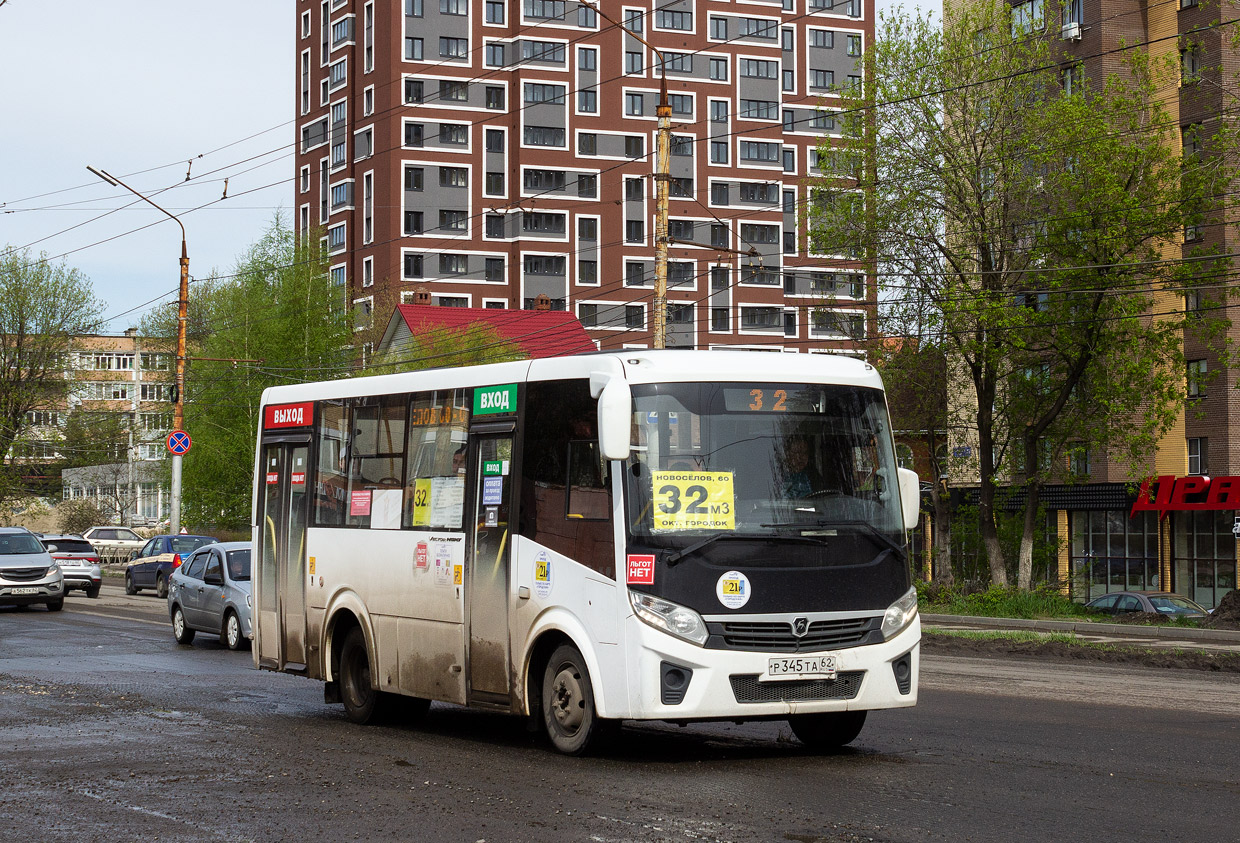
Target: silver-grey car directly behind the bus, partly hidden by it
{"x": 211, "y": 593}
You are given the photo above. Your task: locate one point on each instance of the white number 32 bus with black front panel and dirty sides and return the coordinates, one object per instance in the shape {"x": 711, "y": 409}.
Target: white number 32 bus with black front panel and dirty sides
{"x": 638, "y": 536}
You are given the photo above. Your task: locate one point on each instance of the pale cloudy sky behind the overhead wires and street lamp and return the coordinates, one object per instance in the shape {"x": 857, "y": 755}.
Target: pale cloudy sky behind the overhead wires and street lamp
{"x": 141, "y": 89}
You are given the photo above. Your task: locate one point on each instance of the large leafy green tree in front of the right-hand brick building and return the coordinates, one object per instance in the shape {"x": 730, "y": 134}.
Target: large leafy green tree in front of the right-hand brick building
{"x": 1038, "y": 227}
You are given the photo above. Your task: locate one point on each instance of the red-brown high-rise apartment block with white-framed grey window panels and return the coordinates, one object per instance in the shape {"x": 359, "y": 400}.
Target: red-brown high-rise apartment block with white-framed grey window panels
{"x": 500, "y": 154}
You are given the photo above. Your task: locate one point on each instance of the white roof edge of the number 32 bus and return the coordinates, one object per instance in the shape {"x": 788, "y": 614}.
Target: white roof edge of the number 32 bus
{"x": 634, "y": 365}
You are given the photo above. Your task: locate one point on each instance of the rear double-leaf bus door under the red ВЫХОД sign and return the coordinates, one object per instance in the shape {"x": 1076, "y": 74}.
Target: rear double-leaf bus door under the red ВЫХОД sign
{"x": 282, "y": 573}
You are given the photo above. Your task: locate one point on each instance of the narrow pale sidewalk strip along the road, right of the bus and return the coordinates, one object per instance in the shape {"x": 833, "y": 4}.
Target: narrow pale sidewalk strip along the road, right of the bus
{"x": 1145, "y": 637}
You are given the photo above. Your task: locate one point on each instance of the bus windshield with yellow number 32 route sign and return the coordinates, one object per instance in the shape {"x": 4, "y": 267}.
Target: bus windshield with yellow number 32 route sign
{"x": 761, "y": 461}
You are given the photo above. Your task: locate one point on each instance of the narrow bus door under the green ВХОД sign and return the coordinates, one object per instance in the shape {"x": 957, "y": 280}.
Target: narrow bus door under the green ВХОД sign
{"x": 487, "y": 581}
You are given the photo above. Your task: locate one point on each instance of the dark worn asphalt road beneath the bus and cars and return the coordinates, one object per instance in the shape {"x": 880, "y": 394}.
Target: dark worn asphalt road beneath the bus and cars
{"x": 113, "y": 732}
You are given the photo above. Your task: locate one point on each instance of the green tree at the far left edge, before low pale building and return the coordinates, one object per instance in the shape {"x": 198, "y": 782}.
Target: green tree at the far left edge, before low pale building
{"x": 43, "y": 307}
